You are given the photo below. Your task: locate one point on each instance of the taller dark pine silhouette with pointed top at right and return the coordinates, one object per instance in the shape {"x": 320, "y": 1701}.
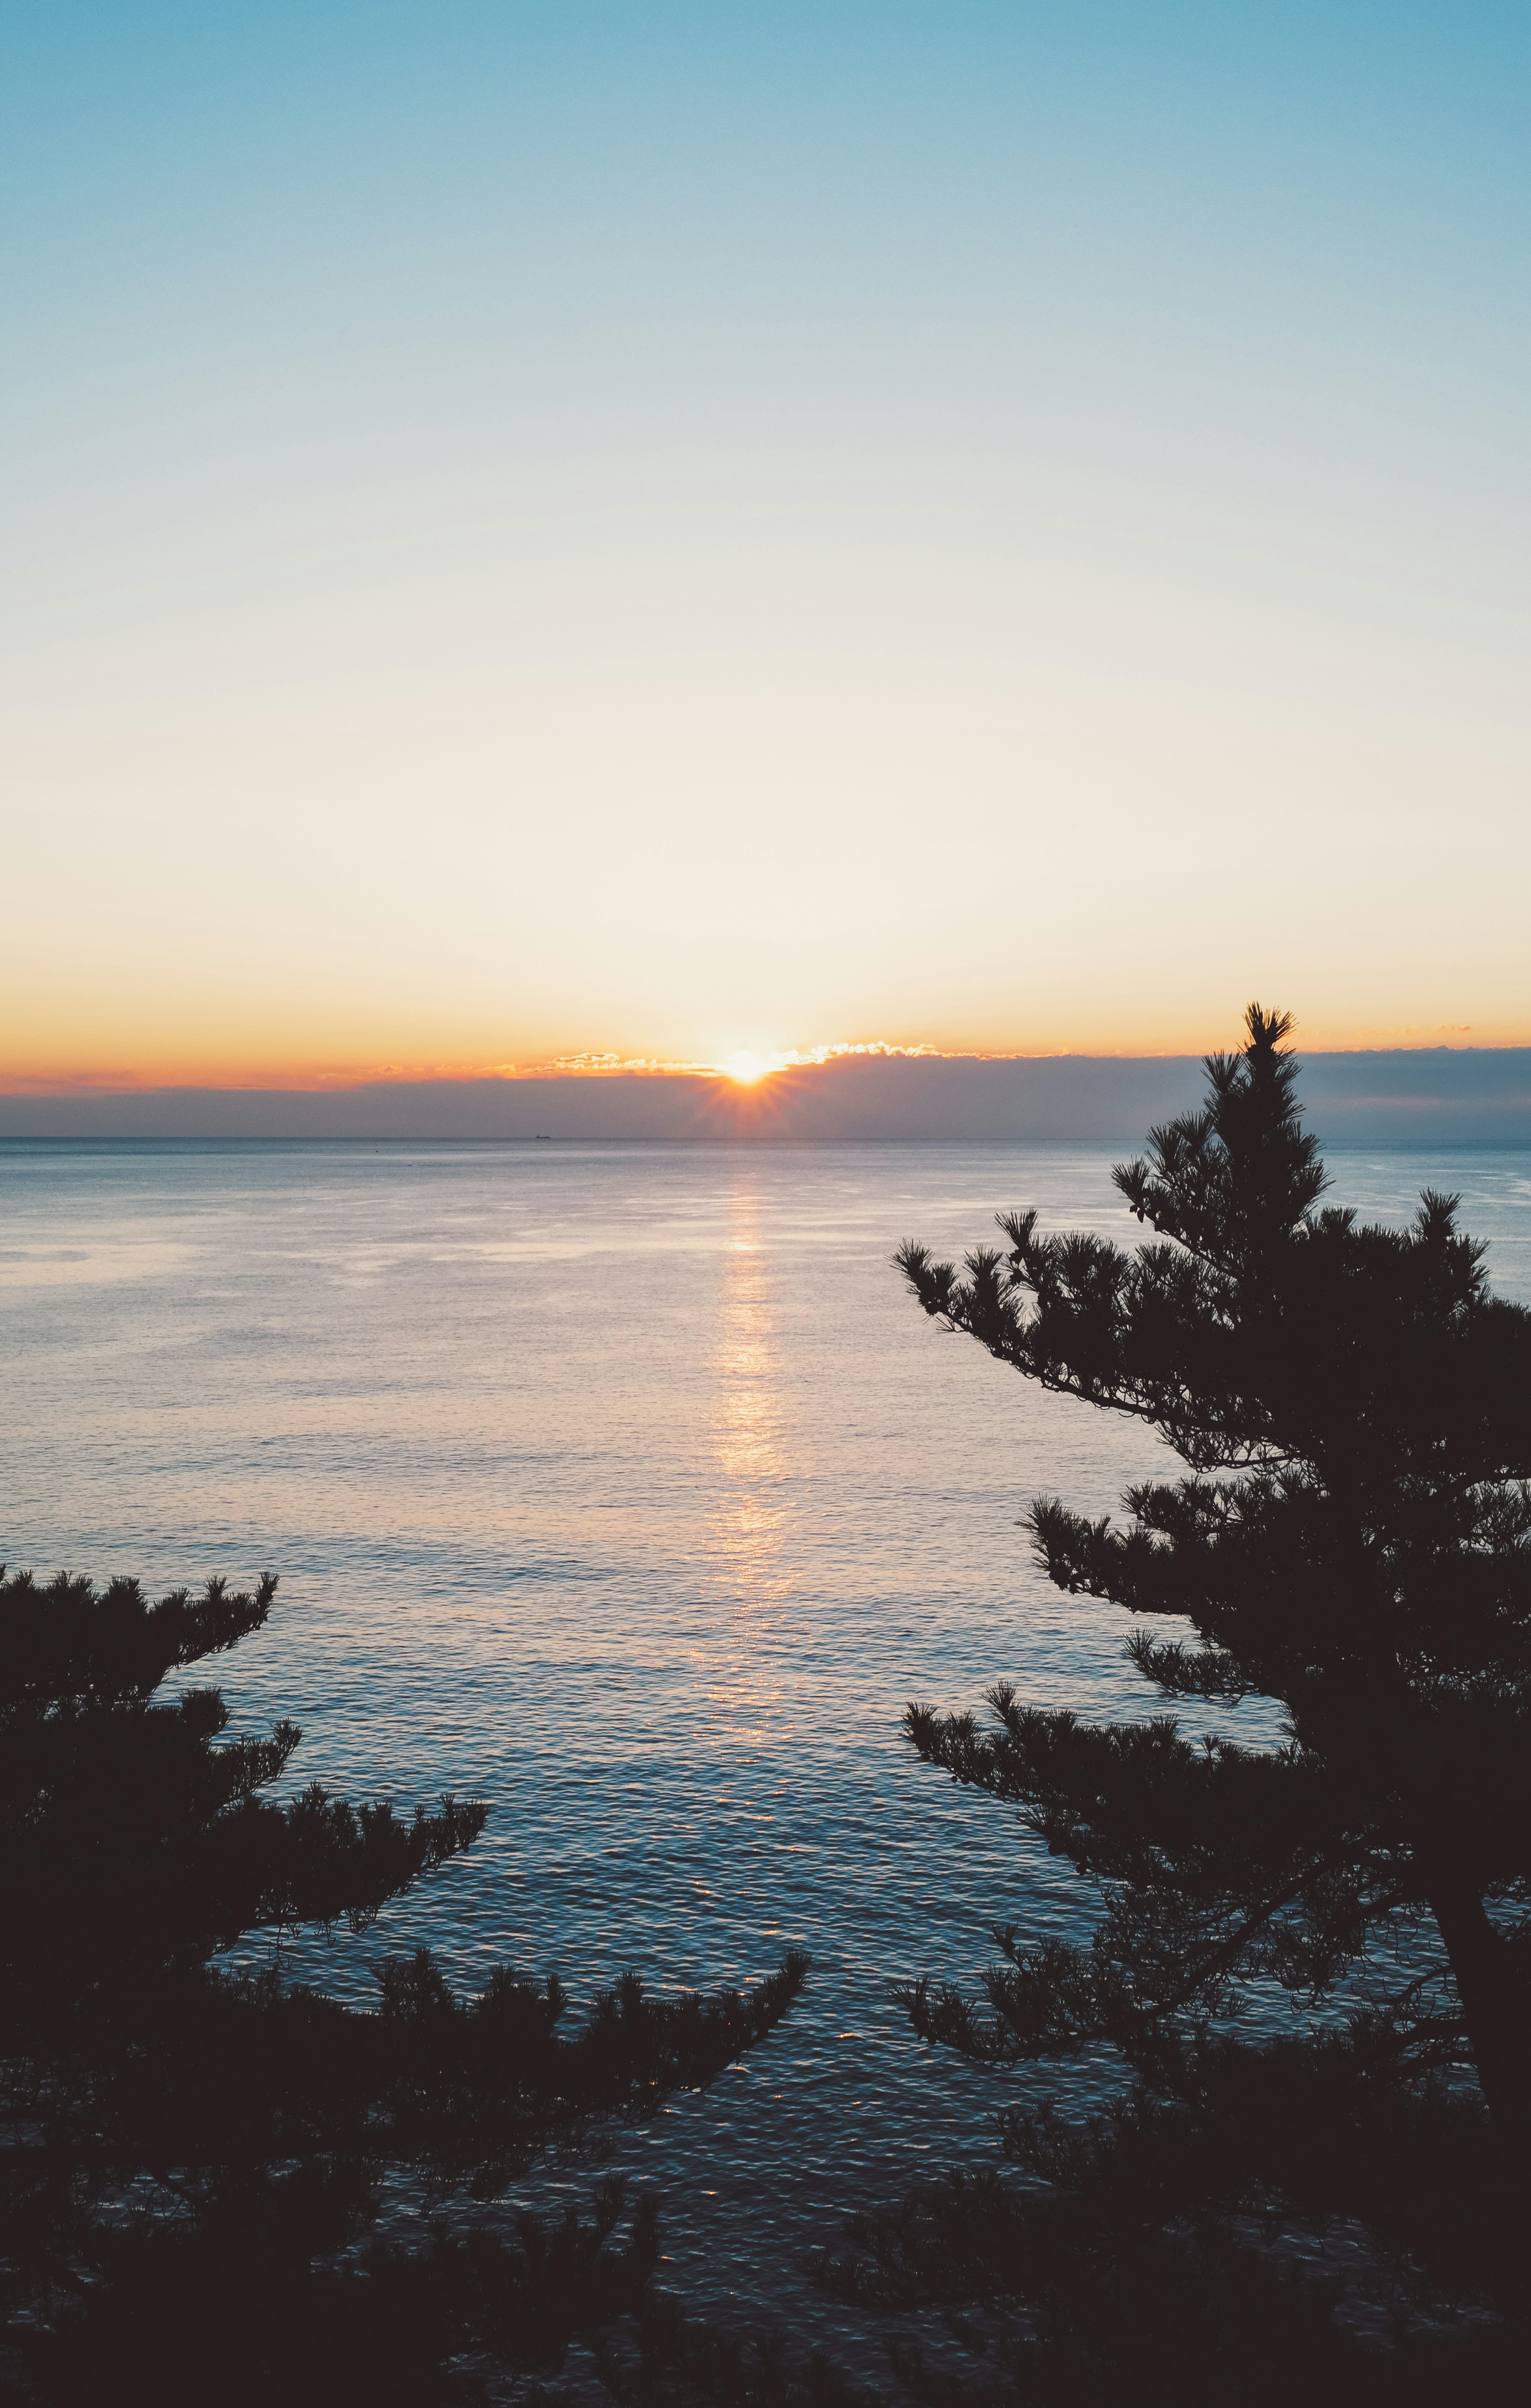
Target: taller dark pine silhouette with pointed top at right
{"x": 1354, "y": 1540}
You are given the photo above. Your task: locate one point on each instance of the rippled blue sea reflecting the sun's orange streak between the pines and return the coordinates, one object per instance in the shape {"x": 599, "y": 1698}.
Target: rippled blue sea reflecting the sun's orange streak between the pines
{"x": 629, "y": 1492}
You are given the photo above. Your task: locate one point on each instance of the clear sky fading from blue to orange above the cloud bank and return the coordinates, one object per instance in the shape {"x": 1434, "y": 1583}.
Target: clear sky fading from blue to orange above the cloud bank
{"x": 690, "y": 529}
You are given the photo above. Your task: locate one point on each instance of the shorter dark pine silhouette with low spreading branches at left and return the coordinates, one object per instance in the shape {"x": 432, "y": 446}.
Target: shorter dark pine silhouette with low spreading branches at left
{"x": 194, "y": 2156}
